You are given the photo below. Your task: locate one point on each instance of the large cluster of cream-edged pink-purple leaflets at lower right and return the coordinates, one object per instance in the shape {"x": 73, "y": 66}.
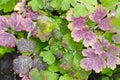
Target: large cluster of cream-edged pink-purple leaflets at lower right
{"x": 101, "y": 55}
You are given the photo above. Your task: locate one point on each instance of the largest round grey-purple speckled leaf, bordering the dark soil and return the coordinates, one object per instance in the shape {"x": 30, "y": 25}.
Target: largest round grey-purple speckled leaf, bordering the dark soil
{"x": 22, "y": 64}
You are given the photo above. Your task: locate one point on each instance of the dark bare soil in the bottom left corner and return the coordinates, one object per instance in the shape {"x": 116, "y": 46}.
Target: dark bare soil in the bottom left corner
{"x": 6, "y": 67}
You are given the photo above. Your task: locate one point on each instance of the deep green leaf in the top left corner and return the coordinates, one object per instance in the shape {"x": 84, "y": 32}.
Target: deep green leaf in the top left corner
{"x": 8, "y": 6}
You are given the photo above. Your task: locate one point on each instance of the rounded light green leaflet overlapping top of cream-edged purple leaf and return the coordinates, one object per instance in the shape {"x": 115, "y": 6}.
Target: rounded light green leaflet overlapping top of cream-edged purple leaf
{"x": 80, "y": 10}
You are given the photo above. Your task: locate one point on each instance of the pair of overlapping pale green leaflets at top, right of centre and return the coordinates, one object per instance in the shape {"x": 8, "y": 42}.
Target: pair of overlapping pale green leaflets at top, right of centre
{"x": 86, "y": 7}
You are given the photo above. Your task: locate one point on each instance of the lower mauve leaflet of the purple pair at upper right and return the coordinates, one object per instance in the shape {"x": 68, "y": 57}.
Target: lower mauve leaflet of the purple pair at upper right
{"x": 105, "y": 24}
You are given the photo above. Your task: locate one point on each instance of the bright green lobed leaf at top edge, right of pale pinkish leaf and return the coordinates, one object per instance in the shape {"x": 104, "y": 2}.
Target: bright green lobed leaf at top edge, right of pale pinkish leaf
{"x": 36, "y": 4}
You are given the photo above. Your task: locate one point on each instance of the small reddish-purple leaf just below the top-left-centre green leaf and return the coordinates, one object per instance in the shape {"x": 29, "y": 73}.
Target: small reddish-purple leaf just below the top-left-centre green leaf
{"x": 30, "y": 14}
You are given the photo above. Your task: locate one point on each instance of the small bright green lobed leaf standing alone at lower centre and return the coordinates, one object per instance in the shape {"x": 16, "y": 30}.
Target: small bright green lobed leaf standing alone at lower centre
{"x": 48, "y": 57}
